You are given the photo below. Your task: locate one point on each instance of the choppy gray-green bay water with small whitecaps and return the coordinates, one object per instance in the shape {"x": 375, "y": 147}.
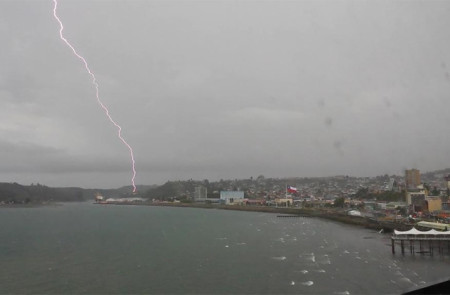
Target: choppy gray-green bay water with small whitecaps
{"x": 86, "y": 248}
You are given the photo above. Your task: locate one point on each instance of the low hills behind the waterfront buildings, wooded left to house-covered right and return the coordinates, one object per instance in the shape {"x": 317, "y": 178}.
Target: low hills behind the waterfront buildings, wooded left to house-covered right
{"x": 361, "y": 187}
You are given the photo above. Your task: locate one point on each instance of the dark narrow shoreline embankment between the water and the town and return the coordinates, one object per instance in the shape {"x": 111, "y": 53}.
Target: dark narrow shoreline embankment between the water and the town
{"x": 326, "y": 213}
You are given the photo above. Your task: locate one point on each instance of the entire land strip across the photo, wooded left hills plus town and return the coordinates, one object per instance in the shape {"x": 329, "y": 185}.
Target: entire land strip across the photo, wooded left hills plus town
{"x": 407, "y": 198}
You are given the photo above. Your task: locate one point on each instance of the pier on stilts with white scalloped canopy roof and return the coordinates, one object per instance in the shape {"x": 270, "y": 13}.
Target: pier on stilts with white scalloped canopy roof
{"x": 423, "y": 242}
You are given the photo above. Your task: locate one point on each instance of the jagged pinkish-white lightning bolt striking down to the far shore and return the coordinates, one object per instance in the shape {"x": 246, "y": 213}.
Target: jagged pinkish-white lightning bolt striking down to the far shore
{"x": 102, "y": 105}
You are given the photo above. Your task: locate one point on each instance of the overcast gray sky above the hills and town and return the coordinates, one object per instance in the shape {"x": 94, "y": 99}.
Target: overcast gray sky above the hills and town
{"x": 223, "y": 89}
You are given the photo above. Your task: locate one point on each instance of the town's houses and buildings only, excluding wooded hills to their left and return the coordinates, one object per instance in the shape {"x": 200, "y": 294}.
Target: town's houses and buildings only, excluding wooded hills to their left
{"x": 417, "y": 198}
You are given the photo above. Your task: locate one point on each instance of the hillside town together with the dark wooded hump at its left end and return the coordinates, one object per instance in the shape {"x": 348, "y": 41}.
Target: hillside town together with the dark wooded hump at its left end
{"x": 399, "y": 198}
